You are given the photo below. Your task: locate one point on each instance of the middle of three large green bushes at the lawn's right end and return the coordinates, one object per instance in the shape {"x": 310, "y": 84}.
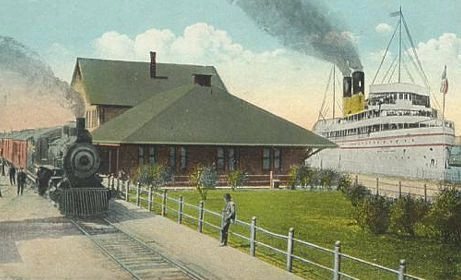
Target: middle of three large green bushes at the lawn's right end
{"x": 405, "y": 213}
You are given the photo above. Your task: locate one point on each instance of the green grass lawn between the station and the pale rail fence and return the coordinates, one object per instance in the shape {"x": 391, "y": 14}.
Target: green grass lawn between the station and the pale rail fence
{"x": 323, "y": 218}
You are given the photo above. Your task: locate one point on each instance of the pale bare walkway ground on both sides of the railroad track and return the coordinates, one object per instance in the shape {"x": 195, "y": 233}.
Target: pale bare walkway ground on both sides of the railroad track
{"x": 37, "y": 243}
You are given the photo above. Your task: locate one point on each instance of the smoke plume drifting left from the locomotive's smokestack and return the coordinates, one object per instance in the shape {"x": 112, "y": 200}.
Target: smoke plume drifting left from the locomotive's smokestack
{"x": 29, "y": 87}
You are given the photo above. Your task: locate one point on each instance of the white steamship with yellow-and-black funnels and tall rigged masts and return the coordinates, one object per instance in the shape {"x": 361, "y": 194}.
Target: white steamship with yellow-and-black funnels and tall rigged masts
{"x": 393, "y": 132}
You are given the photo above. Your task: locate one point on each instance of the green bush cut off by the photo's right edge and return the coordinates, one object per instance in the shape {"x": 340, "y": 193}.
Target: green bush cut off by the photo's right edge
{"x": 445, "y": 215}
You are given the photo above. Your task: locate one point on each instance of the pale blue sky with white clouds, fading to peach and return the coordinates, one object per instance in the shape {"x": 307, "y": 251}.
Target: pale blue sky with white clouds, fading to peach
{"x": 255, "y": 65}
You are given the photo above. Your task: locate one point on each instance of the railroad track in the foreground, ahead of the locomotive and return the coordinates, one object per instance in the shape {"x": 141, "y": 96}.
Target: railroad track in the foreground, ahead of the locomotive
{"x": 133, "y": 255}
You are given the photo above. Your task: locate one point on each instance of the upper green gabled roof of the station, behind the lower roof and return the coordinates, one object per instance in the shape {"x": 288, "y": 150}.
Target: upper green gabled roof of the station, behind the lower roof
{"x": 126, "y": 83}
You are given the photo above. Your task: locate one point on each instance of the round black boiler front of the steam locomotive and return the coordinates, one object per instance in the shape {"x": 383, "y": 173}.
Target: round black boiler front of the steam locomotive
{"x": 82, "y": 160}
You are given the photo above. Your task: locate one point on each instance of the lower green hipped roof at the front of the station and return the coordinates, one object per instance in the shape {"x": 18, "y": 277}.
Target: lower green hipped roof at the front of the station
{"x": 196, "y": 115}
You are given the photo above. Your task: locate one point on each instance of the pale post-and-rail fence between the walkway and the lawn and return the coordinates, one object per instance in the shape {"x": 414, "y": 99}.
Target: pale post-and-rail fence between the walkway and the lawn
{"x": 259, "y": 239}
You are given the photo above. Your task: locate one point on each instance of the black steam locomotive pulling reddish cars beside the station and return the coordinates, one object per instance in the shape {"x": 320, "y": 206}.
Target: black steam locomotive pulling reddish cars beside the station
{"x": 64, "y": 163}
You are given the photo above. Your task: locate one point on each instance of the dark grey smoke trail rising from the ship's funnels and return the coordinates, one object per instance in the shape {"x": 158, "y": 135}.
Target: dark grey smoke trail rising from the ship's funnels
{"x": 305, "y": 26}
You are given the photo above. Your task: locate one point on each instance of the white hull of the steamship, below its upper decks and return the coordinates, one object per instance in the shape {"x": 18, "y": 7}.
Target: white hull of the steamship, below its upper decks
{"x": 416, "y": 153}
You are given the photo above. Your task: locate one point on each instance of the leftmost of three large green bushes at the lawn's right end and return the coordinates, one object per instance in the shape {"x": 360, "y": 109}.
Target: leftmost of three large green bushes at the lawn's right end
{"x": 372, "y": 213}
